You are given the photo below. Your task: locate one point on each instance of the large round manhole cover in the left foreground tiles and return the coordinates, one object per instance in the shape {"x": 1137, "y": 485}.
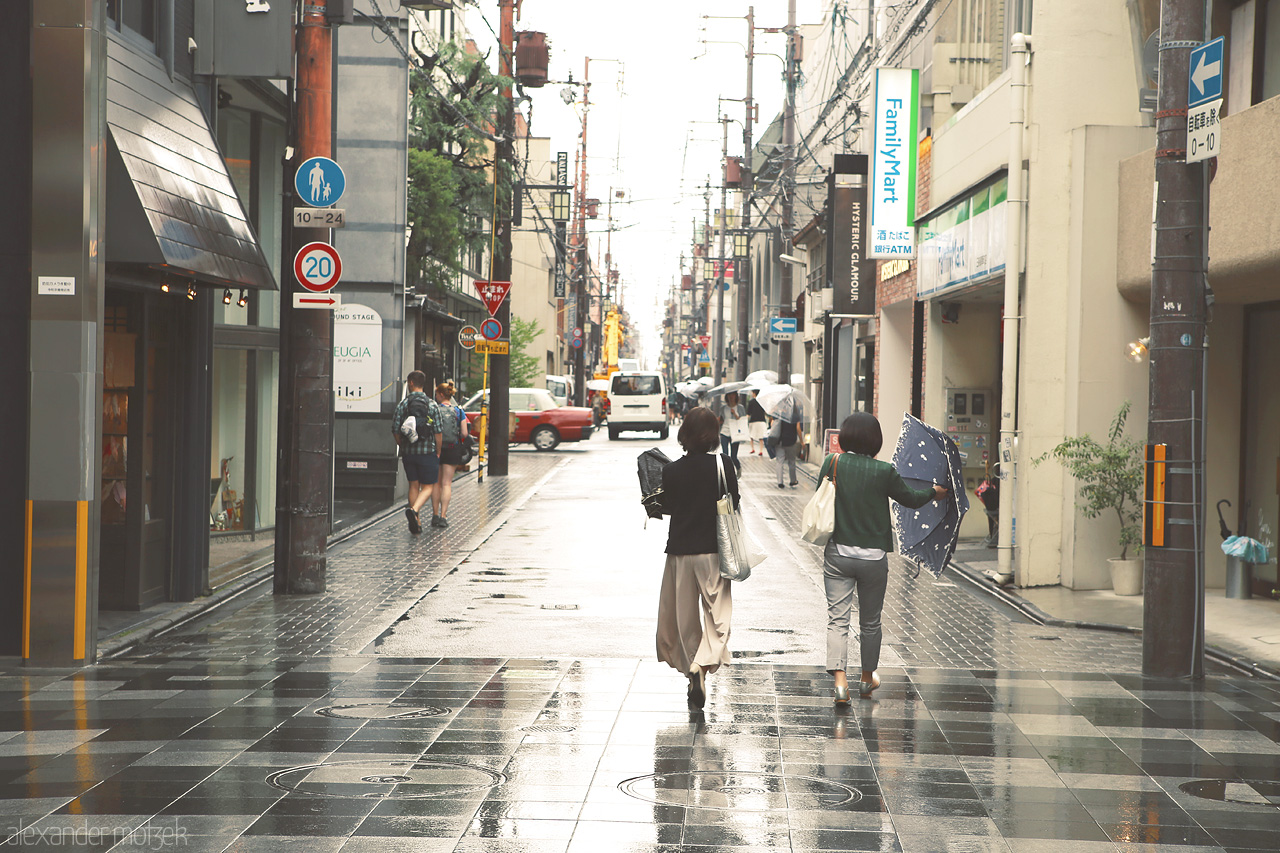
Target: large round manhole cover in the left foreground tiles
{"x": 387, "y": 779}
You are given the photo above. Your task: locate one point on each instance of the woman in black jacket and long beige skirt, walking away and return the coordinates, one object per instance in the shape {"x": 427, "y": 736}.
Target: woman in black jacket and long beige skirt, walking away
{"x": 691, "y": 489}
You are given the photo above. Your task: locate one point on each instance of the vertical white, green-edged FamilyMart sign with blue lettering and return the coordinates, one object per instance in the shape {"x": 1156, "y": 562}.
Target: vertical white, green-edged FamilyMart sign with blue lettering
{"x": 893, "y": 188}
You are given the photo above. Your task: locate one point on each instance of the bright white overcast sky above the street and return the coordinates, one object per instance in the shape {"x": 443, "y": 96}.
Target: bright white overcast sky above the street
{"x": 659, "y": 138}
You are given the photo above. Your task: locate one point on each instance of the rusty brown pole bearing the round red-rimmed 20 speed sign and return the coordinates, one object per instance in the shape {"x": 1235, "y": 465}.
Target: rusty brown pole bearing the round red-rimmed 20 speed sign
{"x": 305, "y": 454}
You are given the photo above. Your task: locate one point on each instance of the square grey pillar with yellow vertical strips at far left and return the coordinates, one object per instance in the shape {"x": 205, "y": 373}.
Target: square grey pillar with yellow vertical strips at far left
{"x": 68, "y": 282}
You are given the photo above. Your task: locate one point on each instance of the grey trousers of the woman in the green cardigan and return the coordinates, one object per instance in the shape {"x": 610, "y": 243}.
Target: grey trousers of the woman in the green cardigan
{"x": 842, "y": 577}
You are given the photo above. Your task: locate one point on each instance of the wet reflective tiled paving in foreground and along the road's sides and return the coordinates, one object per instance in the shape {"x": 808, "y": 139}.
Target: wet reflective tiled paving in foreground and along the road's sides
{"x": 263, "y": 735}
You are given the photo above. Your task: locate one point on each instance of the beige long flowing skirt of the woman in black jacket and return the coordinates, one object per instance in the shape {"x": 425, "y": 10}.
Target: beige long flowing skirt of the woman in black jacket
{"x": 692, "y": 583}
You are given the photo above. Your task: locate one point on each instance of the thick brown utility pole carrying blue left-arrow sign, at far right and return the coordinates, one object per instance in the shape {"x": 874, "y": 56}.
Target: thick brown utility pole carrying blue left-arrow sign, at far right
{"x": 1173, "y": 636}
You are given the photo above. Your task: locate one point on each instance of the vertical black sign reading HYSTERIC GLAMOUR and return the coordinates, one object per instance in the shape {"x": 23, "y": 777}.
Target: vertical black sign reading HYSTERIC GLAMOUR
{"x": 853, "y": 275}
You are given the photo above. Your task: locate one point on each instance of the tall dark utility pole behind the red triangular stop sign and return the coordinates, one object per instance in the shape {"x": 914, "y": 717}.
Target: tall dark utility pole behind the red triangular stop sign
{"x": 500, "y": 367}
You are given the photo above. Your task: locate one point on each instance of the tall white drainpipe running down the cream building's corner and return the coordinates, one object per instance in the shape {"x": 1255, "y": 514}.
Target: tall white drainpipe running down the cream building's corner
{"x": 1021, "y": 60}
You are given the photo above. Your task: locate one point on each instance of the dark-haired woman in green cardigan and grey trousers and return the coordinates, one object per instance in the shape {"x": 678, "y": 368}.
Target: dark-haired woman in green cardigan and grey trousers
{"x": 857, "y": 553}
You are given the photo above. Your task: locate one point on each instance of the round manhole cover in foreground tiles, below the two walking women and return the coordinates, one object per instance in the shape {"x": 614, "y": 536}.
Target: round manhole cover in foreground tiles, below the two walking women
{"x": 717, "y": 790}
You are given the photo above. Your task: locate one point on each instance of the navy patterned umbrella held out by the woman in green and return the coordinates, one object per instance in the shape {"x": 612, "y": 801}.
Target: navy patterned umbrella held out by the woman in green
{"x": 927, "y": 457}
